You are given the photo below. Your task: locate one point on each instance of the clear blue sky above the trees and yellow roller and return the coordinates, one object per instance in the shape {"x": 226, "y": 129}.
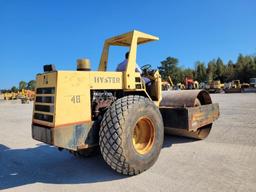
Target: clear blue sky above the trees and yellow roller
{"x": 38, "y": 32}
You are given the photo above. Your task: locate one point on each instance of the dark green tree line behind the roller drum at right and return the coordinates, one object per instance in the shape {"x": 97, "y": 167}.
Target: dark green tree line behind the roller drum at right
{"x": 243, "y": 69}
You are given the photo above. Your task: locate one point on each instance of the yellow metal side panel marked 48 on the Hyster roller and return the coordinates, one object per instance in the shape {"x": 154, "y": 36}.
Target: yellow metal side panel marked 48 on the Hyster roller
{"x": 72, "y": 97}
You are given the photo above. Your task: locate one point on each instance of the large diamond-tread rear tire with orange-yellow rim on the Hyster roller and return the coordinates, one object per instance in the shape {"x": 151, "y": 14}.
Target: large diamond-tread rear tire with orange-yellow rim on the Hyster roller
{"x": 116, "y": 136}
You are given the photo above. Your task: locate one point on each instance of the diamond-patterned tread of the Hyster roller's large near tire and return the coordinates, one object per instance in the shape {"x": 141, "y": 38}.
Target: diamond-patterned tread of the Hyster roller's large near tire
{"x": 110, "y": 134}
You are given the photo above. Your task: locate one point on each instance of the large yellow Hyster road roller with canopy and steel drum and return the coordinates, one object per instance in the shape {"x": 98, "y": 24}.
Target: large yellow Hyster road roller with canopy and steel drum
{"x": 80, "y": 110}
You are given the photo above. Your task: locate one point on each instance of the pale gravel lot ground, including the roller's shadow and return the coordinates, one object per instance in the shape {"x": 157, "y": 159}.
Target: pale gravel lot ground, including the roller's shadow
{"x": 225, "y": 161}
